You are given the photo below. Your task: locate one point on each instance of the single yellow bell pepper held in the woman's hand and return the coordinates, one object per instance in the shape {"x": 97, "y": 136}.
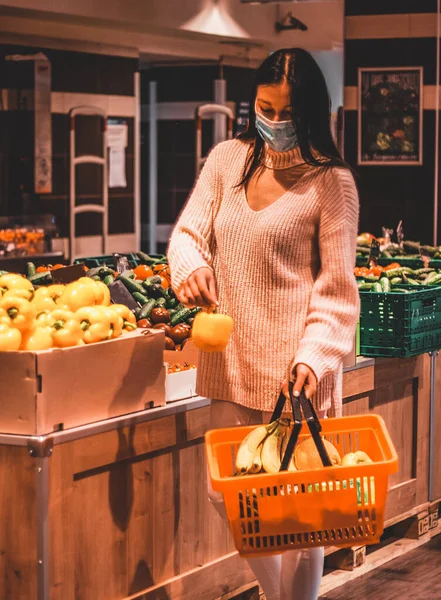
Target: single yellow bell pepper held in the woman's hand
{"x": 211, "y": 331}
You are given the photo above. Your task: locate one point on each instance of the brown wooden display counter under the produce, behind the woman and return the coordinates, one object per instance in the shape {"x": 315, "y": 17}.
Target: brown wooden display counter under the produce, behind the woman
{"x": 119, "y": 509}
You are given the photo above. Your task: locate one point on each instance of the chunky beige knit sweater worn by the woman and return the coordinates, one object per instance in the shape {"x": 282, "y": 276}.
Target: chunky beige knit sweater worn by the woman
{"x": 285, "y": 275}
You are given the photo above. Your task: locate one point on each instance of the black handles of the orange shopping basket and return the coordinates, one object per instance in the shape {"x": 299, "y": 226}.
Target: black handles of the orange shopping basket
{"x": 299, "y": 405}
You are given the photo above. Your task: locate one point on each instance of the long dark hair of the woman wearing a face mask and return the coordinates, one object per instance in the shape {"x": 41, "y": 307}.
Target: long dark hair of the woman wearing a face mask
{"x": 311, "y": 107}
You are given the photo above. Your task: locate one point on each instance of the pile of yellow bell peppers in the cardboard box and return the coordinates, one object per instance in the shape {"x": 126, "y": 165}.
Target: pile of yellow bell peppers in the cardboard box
{"x": 59, "y": 316}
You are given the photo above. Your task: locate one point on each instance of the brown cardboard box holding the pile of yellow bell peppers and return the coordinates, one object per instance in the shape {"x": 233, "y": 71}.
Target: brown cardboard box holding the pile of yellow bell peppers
{"x": 63, "y": 388}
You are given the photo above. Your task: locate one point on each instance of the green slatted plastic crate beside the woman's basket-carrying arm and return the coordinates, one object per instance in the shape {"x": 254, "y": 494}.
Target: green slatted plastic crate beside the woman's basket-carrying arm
{"x": 399, "y": 324}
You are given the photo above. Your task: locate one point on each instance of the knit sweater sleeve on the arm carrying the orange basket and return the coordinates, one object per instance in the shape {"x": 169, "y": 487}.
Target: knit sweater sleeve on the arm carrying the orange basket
{"x": 334, "y": 305}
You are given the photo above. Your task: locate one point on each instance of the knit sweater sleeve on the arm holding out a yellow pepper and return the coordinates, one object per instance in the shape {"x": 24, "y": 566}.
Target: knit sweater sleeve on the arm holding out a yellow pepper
{"x": 189, "y": 247}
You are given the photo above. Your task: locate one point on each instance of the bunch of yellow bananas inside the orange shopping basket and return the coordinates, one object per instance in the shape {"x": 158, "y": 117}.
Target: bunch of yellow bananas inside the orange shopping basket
{"x": 263, "y": 449}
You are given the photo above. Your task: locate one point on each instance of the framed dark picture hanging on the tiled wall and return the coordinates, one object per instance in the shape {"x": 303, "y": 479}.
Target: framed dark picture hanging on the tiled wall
{"x": 390, "y": 116}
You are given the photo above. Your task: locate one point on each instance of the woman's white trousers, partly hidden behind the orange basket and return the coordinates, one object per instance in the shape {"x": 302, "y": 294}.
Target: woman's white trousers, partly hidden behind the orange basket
{"x": 293, "y": 575}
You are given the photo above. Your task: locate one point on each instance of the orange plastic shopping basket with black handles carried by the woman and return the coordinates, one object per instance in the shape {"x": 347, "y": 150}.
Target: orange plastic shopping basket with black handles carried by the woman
{"x": 329, "y": 506}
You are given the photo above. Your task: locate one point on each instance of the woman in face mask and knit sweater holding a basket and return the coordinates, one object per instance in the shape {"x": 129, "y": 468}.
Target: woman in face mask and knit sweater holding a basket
{"x": 268, "y": 236}
